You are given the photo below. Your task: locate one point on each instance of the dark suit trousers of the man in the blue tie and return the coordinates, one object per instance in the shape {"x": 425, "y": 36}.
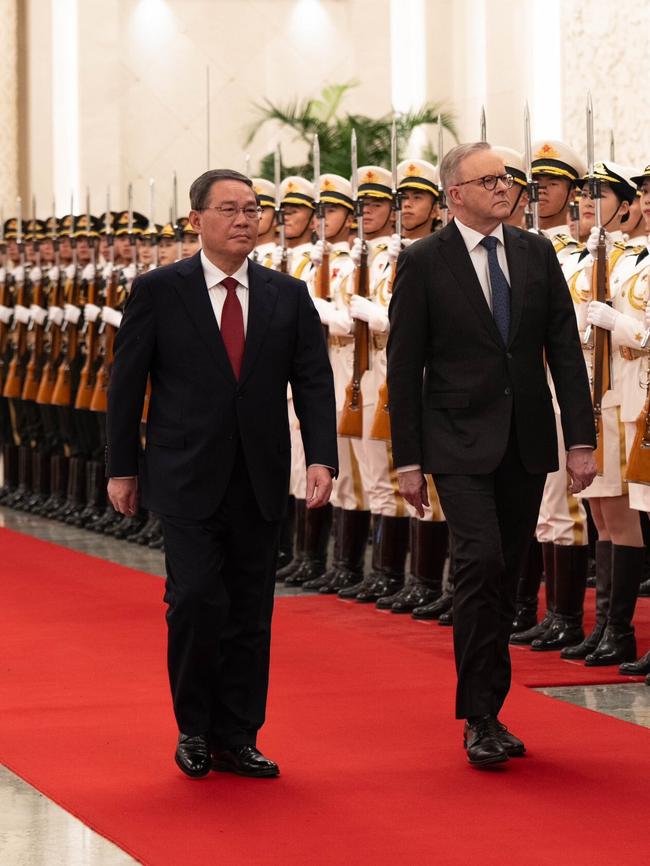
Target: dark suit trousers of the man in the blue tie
{"x": 492, "y": 520}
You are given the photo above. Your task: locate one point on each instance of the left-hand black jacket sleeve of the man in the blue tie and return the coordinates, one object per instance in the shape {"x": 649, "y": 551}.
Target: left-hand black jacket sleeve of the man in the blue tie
{"x": 407, "y": 343}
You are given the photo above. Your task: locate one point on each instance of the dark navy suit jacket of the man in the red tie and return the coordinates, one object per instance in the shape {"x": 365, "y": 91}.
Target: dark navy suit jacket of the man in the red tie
{"x": 199, "y": 412}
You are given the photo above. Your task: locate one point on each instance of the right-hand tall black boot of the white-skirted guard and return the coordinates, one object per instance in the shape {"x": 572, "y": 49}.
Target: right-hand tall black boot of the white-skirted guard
{"x": 618, "y": 643}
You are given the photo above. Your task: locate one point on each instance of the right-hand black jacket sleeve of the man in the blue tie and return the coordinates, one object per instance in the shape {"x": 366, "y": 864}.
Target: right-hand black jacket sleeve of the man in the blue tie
{"x": 566, "y": 361}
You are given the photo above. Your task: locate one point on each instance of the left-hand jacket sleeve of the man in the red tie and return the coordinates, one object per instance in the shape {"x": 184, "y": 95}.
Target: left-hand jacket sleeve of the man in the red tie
{"x": 134, "y": 346}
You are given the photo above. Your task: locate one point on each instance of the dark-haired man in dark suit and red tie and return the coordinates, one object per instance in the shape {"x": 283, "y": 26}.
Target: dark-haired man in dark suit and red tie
{"x": 220, "y": 338}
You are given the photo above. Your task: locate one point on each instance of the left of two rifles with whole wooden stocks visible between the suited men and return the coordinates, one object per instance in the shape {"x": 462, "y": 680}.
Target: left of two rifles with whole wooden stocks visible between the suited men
{"x": 351, "y": 423}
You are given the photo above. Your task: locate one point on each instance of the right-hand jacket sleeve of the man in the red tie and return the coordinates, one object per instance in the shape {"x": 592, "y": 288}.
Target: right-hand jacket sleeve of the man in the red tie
{"x": 312, "y": 386}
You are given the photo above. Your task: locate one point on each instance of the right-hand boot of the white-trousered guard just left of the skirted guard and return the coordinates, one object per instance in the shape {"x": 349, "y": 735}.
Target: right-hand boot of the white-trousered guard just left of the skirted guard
{"x": 571, "y": 565}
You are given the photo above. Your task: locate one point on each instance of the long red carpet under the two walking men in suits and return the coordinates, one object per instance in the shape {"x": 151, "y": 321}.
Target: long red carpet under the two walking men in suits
{"x": 360, "y": 719}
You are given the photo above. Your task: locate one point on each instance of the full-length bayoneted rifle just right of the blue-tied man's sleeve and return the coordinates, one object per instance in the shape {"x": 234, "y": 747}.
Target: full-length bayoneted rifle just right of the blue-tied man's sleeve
{"x": 601, "y": 347}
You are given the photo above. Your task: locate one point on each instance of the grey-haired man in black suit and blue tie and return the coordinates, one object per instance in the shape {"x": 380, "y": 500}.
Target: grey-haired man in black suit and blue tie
{"x": 476, "y": 311}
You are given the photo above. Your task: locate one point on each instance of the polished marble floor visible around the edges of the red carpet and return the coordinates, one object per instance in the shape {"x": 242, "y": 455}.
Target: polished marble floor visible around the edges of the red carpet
{"x": 34, "y": 831}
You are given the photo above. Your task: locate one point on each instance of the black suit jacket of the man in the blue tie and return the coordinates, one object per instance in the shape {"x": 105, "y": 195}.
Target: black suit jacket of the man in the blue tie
{"x": 453, "y": 385}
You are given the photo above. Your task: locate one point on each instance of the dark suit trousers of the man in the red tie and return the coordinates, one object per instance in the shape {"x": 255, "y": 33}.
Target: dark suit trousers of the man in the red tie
{"x": 220, "y": 584}
